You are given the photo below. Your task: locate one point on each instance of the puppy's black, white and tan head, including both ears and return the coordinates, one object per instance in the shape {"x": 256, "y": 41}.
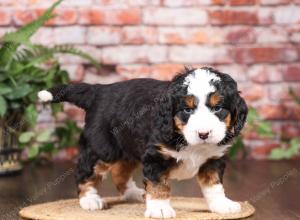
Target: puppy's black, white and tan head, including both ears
{"x": 204, "y": 106}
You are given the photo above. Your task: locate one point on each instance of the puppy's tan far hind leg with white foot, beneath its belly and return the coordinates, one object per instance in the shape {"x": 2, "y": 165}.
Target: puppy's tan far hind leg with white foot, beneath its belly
{"x": 122, "y": 177}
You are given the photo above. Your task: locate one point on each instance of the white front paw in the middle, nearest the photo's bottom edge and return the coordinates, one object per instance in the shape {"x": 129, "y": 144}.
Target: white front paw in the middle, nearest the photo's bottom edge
{"x": 159, "y": 209}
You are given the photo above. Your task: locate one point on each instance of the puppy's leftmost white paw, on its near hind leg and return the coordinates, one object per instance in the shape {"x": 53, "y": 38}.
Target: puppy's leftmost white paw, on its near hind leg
{"x": 92, "y": 202}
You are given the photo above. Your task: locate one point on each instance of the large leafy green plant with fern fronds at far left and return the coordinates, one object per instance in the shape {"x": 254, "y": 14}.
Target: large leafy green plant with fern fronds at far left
{"x": 25, "y": 69}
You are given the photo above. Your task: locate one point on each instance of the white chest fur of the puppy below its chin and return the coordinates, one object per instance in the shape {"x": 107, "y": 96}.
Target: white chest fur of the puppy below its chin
{"x": 191, "y": 158}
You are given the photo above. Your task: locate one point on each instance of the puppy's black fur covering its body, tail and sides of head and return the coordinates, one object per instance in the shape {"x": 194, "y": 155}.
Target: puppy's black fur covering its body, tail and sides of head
{"x": 128, "y": 120}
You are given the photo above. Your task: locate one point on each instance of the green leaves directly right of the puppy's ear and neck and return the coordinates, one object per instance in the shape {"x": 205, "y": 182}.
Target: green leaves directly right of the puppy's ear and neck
{"x": 255, "y": 123}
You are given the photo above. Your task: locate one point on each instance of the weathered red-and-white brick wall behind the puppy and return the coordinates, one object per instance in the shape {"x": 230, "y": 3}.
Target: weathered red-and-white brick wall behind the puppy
{"x": 256, "y": 41}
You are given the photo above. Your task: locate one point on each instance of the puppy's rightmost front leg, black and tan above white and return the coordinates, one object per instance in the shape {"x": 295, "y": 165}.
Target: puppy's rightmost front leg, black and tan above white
{"x": 210, "y": 179}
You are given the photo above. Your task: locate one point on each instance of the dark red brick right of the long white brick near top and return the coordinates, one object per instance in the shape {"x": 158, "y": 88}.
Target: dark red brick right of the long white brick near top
{"x": 233, "y": 17}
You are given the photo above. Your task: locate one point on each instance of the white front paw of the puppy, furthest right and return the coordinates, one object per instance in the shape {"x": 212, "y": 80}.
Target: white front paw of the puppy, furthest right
{"x": 224, "y": 206}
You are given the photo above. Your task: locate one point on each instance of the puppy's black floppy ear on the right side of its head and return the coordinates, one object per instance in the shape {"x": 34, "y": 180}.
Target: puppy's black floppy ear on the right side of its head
{"x": 240, "y": 114}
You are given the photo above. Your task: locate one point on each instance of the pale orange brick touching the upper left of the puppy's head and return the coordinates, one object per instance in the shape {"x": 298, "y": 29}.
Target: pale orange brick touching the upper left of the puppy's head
{"x": 165, "y": 71}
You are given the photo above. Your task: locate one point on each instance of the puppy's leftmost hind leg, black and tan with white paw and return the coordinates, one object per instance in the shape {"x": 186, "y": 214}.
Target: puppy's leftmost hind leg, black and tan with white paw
{"x": 89, "y": 175}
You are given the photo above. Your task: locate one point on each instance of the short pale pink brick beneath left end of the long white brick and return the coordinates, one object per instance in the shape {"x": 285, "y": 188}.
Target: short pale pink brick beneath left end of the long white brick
{"x": 139, "y": 35}
